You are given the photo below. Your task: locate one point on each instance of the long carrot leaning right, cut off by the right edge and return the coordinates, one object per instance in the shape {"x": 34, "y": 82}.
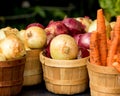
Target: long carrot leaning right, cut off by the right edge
{"x": 115, "y": 43}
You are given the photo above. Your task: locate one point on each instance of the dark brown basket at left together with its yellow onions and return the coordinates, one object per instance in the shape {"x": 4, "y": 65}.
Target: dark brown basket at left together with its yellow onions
{"x": 12, "y": 62}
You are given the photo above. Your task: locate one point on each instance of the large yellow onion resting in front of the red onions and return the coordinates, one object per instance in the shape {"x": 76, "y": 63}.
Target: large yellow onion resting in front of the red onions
{"x": 63, "y": 47}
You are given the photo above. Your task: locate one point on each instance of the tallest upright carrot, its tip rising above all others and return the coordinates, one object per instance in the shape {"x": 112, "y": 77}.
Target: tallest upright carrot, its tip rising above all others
{"x": 101, "y": 29}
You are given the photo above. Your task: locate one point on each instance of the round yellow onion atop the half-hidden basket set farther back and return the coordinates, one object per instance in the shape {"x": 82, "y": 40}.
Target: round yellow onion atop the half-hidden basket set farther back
{"x": 35, "y": 37}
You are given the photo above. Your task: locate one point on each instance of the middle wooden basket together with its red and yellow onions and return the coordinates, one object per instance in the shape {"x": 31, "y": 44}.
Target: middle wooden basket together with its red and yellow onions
{"x": 64, "y": 66}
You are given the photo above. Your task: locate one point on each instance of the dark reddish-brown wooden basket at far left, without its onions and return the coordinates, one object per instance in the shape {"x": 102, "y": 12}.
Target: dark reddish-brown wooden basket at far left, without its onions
{"x": 11, "y": 76}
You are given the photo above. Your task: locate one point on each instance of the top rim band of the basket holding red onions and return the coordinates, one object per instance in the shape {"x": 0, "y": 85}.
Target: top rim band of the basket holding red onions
{"x": 62, "y": 63}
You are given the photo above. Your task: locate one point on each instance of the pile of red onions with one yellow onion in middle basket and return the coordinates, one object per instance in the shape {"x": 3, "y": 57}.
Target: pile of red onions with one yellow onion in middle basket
{"x": 72, "y": 28}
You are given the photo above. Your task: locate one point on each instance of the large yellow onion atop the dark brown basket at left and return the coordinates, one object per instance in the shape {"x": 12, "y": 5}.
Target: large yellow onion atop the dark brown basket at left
{"x": 12, "y": 47}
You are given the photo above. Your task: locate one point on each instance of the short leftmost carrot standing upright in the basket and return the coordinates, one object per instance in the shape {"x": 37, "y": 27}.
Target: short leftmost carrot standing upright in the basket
{"x": 94, "y": 51}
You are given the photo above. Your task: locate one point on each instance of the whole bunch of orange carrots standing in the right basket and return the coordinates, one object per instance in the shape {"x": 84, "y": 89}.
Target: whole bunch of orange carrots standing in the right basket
{"x": 103, "y": 50}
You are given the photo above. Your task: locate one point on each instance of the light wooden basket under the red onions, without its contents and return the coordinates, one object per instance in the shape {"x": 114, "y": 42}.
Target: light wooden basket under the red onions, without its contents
{"x": 64, "y": 76}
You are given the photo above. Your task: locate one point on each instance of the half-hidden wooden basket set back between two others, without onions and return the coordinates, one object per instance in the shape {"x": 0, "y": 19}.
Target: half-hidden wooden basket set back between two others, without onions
{"x": 33, "y": 68}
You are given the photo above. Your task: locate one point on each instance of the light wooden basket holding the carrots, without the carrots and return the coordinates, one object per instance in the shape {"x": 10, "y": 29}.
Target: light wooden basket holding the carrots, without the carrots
{"x": 104, "y": 80}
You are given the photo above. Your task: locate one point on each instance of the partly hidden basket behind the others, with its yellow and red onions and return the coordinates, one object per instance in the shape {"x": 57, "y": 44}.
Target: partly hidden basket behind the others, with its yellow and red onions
{"x": 34, "y": 38}
